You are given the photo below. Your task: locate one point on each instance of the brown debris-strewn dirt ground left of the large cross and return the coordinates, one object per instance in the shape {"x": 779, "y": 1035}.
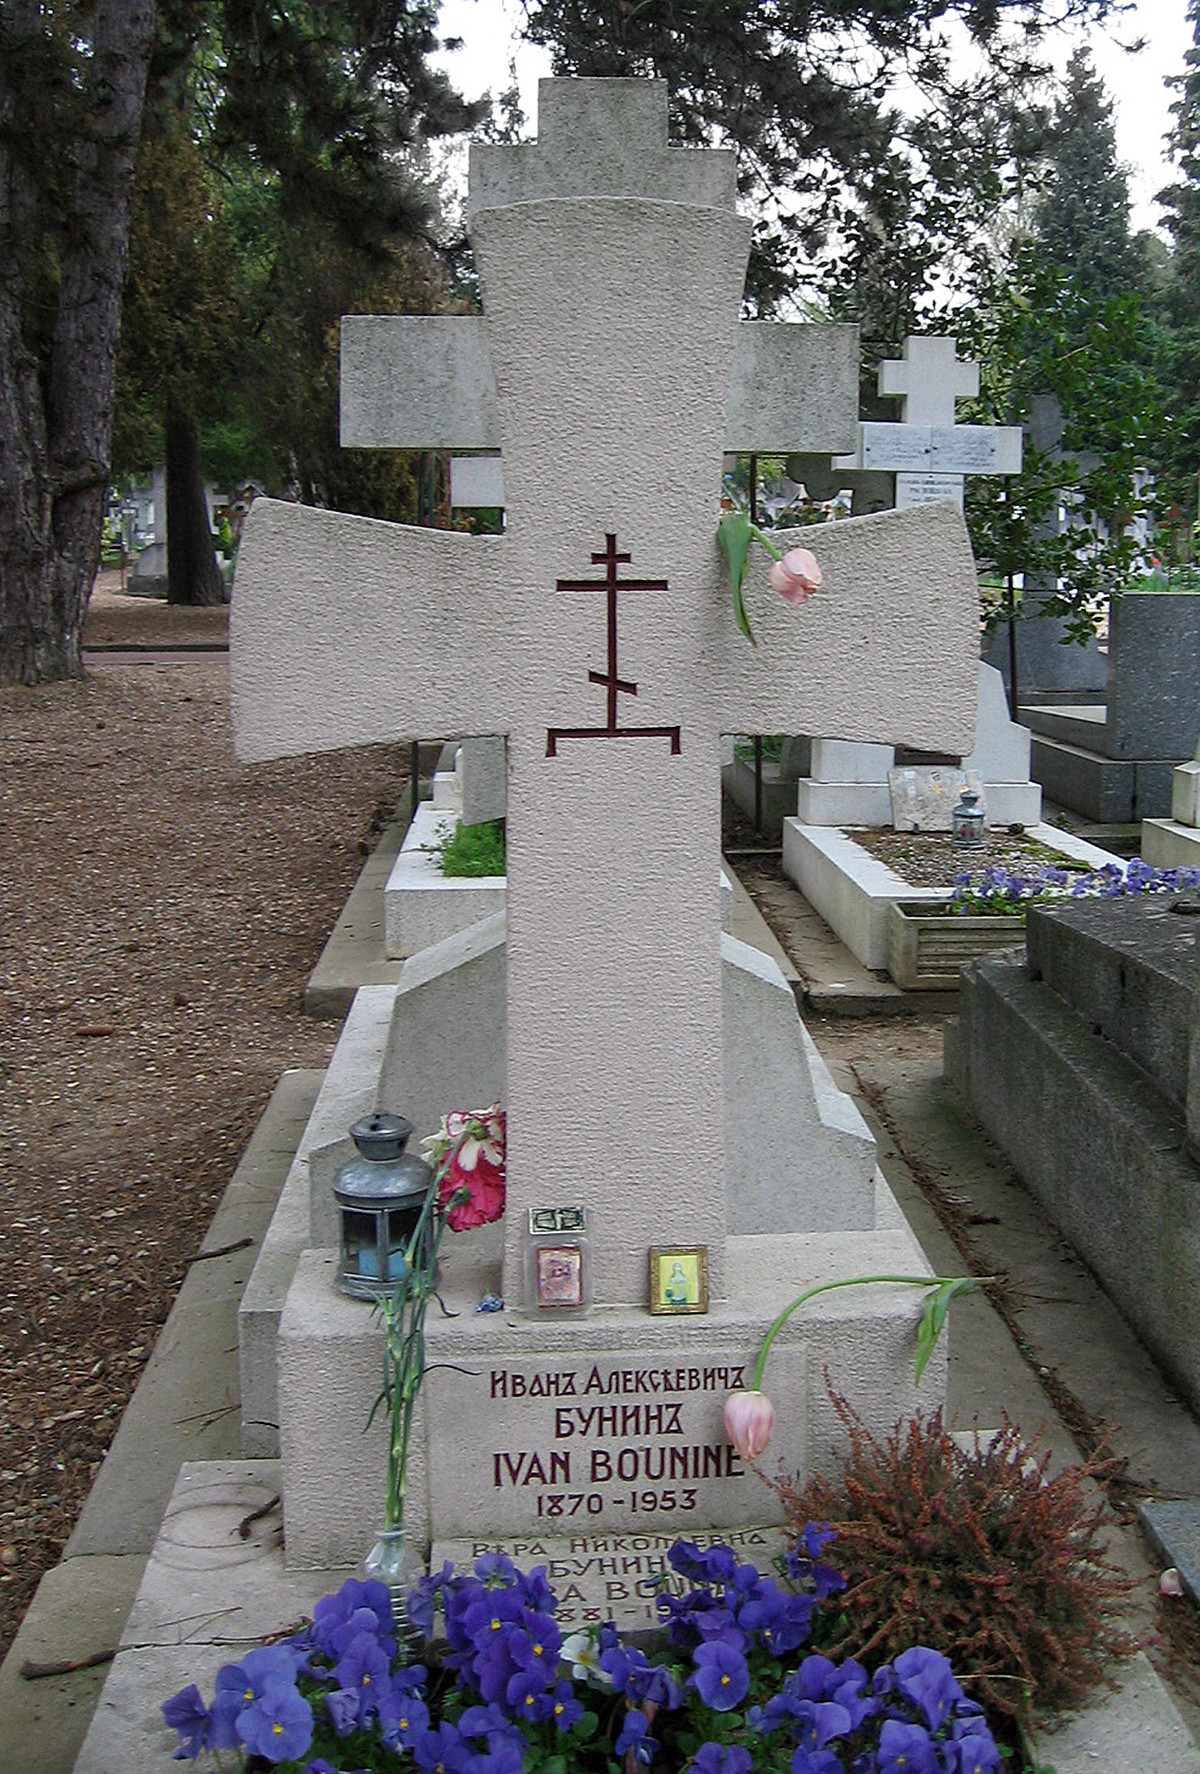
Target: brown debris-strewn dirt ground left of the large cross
{"x": 161, "y": 911}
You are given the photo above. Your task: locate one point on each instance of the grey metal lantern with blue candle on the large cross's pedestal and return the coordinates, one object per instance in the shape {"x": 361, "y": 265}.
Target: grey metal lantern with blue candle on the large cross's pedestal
{"x": 381, "y": 1195}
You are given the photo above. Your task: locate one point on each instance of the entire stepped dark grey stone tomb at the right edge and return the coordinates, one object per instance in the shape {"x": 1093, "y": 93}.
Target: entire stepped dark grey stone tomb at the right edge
{"x": 1082, "y": 1062}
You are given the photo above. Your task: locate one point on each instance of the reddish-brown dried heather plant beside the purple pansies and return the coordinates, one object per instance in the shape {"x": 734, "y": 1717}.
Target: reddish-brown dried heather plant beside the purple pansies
{"x": 979, "y": 1555}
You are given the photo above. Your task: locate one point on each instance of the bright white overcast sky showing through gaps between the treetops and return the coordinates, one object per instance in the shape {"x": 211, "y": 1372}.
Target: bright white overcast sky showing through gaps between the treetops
{"x": 1133, "y": 82}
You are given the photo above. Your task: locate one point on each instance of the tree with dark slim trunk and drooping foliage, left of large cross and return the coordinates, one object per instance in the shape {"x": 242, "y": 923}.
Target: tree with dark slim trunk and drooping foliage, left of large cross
{"x": 297, "y": 130}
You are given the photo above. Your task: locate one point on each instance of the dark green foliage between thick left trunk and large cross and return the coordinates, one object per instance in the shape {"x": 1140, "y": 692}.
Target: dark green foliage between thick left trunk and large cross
{"x": 281, "y": 185}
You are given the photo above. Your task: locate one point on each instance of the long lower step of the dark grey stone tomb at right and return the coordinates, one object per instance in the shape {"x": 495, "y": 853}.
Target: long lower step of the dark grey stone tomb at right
{"x": 1096, "y": 1140}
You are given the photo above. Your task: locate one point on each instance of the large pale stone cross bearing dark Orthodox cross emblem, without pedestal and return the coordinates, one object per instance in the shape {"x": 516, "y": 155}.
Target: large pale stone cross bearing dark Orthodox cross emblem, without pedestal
{"x": 612, "y": 341}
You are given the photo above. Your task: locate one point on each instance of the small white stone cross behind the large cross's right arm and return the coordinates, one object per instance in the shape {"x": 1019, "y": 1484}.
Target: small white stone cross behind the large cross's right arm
{"x": 928, "y": 451}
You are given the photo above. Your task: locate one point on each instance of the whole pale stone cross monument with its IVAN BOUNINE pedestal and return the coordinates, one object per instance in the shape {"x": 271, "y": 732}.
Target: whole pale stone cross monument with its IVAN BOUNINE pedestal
{"x": 597, "y": 638}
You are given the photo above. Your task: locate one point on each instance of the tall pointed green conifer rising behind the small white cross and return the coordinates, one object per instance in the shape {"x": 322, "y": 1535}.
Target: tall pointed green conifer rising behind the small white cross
{"x": 1068, "y": 318}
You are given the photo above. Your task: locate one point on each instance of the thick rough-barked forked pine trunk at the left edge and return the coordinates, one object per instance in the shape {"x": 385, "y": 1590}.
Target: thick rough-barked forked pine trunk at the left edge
{"x": 56, "y": 418}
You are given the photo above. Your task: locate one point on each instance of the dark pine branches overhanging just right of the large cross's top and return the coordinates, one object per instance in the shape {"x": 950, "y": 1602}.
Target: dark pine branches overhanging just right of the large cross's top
{"x": 801, "y": 90}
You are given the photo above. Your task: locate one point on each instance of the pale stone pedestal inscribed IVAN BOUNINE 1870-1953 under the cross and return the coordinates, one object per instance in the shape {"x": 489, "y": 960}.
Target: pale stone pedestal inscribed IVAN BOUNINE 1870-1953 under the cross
{"x": 601, "y": 1425}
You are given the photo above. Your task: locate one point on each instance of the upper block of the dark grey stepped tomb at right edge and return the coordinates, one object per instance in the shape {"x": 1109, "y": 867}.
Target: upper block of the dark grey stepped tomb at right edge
{"x": 1128, "y": 968}
